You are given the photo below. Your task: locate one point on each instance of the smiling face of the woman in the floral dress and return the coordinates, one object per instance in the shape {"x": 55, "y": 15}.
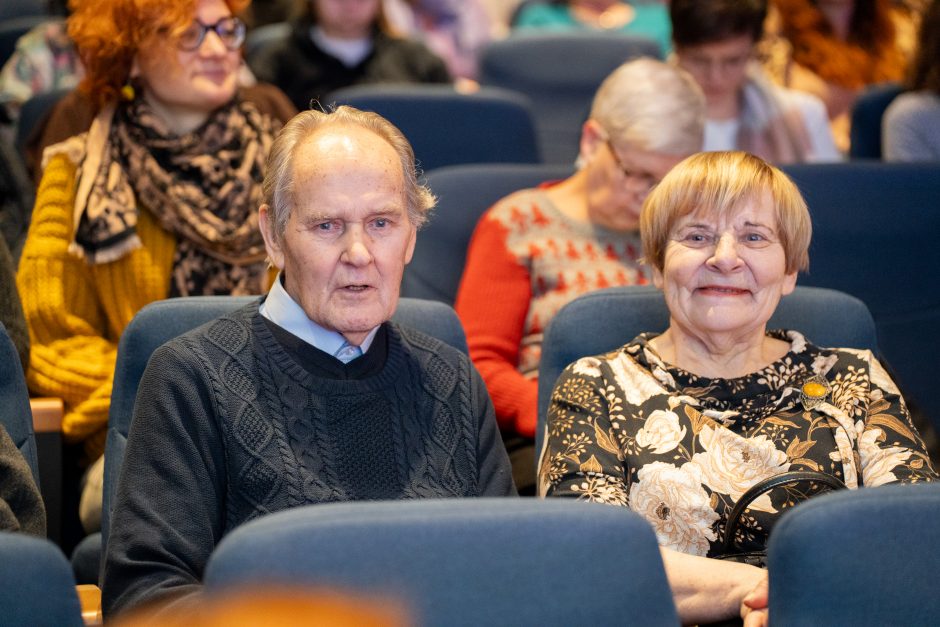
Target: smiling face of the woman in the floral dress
{"x": 725, "y": 275}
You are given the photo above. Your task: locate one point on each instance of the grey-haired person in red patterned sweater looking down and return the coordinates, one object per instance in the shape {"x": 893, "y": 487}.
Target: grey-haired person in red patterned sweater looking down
{"x": 538, "y": 249}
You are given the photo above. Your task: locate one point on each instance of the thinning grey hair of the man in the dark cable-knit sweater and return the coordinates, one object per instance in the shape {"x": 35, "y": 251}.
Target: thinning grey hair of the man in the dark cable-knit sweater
{"x": 278, "y": 186}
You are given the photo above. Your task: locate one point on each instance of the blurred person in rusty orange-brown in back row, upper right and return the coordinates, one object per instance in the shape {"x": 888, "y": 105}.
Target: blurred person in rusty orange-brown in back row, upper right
{"x": 835, "y": 48}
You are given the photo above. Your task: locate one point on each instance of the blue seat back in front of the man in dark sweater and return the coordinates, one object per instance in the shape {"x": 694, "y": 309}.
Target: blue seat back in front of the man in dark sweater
{"x": 462, "y": 561}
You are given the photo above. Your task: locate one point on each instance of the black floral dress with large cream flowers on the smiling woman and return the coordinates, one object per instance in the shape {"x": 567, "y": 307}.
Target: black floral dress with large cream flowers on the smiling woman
{"x": 628, "y": 429}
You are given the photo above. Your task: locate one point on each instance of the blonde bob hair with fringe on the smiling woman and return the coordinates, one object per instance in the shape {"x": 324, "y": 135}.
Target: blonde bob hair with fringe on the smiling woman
{"x": 718, "y": 183}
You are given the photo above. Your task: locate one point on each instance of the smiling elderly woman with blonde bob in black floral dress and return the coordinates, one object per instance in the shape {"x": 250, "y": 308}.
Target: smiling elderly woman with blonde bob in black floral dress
{"x": 678, "y": 425}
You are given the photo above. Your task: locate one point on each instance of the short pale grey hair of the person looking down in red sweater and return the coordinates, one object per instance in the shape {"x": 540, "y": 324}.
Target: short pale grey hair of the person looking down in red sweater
{"x": 653, "y": 106}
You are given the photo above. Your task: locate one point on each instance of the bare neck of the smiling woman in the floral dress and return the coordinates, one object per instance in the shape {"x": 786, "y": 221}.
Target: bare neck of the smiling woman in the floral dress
{"x": 718, "y": 356}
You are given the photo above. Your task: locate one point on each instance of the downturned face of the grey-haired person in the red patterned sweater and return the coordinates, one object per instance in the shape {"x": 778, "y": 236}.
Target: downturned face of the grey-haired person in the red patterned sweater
{"x": 619, "y": 178}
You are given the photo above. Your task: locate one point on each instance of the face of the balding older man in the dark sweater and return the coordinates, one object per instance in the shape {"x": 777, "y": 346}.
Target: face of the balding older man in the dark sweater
{"x": 348, "y": 237}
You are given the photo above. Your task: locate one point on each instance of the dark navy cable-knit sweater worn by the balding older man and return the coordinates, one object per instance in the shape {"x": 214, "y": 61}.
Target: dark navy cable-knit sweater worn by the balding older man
{"x": 229, "y": 425}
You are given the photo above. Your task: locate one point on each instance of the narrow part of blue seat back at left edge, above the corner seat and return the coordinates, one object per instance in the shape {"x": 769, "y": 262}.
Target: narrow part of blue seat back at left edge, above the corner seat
{"x": 15, "y": 413}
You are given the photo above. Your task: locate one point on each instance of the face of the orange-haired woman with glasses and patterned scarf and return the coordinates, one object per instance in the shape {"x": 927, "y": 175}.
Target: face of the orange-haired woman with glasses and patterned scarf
{"x": 184, "y": 87}
